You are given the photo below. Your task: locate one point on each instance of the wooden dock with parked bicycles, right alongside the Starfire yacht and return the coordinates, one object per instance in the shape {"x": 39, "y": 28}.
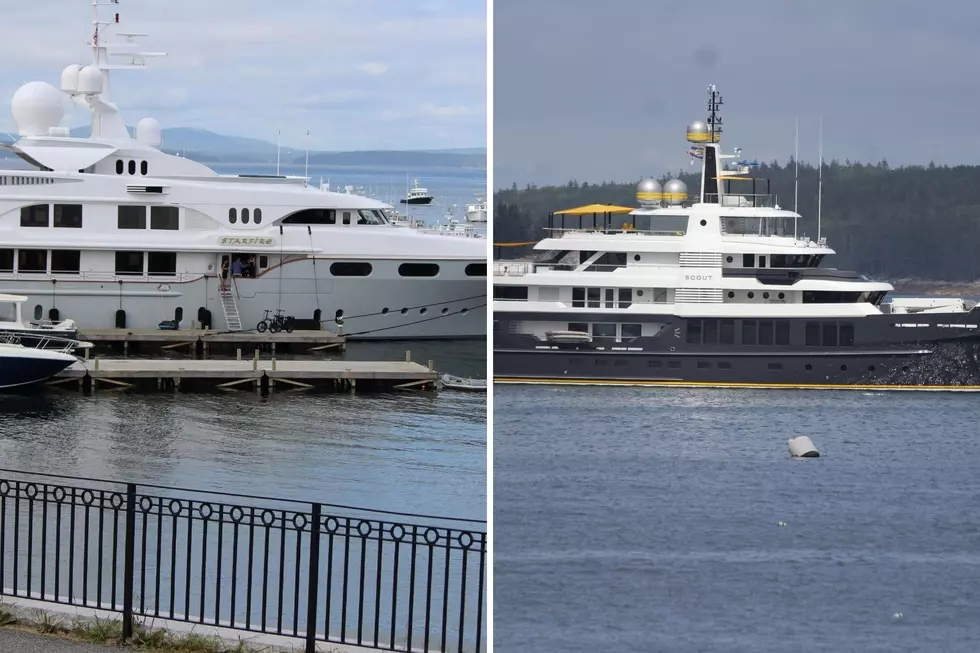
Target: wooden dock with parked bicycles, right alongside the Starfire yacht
{"x": 200, "y": 343}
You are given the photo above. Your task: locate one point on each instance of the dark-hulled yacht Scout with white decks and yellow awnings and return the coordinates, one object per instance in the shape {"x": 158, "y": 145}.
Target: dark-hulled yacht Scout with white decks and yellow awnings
{"x": 720, "y": 292}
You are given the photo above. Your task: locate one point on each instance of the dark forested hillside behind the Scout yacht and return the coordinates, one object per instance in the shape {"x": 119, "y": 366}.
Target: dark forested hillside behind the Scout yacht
{"x": 891, "y": 223}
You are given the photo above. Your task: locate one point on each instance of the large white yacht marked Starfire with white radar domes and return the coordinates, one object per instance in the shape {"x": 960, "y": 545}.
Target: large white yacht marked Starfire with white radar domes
{"x": 110, "y": 231}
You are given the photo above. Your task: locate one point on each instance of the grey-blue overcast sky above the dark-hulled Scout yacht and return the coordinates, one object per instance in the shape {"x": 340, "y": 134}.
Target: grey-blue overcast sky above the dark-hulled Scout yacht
{"x": 604, "y": 90}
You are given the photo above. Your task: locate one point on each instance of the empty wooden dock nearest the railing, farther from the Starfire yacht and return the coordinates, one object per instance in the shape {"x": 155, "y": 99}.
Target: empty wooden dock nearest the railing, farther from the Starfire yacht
{"x": 252, "y": 374}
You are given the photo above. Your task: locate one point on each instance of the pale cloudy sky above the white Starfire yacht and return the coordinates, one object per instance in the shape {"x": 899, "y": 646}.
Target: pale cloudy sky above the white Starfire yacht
{"x": 361, "y": 74}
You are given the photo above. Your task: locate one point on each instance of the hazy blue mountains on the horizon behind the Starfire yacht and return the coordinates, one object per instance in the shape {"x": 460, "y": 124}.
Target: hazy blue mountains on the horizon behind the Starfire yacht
{"x": 207, "y": 146}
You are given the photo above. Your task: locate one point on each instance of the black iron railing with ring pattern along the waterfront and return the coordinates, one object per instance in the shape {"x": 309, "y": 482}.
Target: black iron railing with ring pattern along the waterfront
{"x": 315, "y": 571}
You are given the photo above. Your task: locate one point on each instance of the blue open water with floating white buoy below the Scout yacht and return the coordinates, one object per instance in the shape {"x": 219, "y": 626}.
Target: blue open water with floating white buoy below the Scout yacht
{"x": 649, "y": 520}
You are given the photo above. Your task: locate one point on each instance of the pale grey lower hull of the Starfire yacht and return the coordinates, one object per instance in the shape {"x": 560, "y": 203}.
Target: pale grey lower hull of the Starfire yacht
{"x": 434, "y": 308}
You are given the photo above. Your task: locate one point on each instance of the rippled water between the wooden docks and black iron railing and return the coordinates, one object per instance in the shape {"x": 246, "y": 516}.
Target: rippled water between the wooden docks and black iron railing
{"x": 406, "y": 452}
